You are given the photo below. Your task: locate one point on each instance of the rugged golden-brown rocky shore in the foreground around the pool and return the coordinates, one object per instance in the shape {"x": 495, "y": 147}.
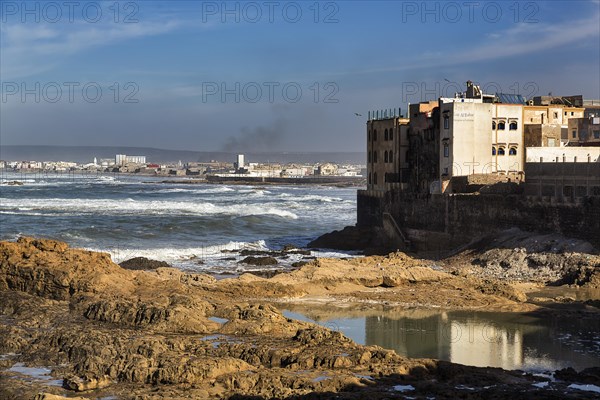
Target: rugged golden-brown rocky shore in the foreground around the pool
{"x": 74, "y": 324}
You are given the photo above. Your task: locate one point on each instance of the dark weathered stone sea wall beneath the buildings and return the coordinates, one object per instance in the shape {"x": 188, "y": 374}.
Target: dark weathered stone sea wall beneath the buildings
{"x": 464, "y": 217}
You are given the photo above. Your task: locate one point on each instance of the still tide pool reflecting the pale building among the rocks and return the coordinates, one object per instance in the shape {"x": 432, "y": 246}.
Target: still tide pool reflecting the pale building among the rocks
{"x": 506, "y": 340}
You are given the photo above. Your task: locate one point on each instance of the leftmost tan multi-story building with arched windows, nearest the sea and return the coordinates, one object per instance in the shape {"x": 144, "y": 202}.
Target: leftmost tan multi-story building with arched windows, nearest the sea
{"x": 387, "y": 146}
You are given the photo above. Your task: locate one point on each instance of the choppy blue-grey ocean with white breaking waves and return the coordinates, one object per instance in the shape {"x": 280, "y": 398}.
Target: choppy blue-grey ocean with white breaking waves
{"x": 195, "y": 227}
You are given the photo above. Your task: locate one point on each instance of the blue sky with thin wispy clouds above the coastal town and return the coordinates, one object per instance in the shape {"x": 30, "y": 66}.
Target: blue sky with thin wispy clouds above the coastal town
{"x": 271, "y": 75}
